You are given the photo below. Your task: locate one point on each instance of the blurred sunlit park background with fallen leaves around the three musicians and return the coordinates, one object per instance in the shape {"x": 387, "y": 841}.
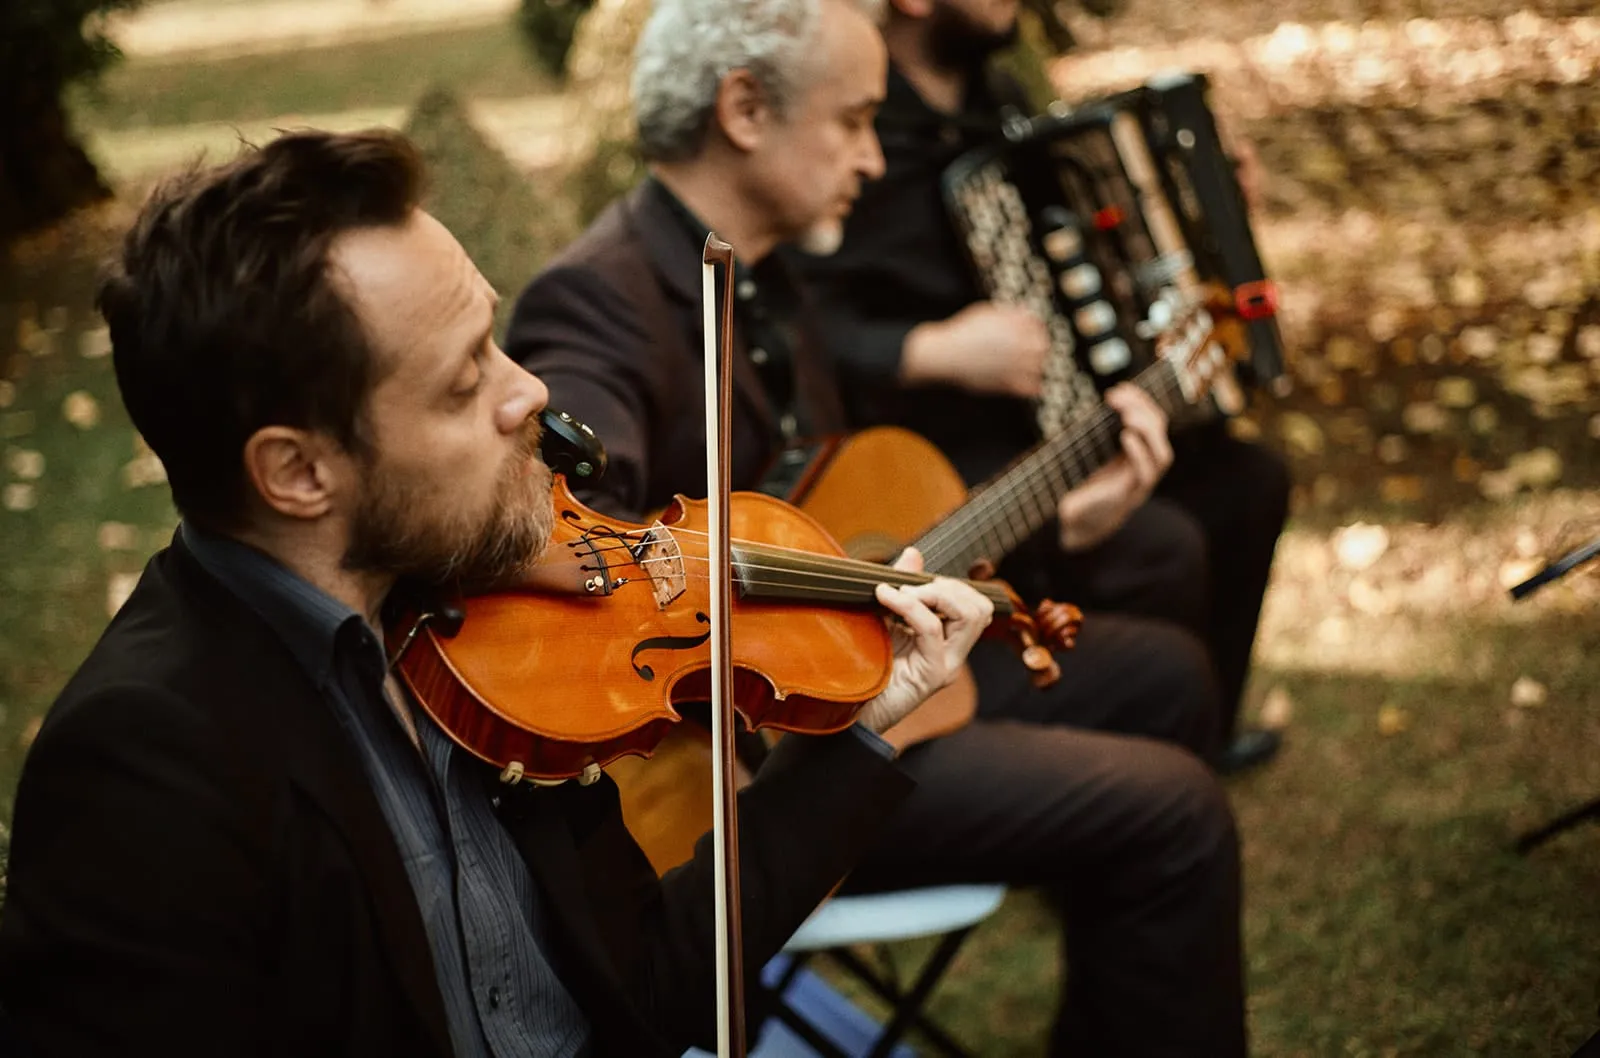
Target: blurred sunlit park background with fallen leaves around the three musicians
{"x": 1433, "y": 215}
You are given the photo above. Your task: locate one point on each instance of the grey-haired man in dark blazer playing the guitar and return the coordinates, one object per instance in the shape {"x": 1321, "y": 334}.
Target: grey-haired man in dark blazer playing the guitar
{"x": 758, "y": 122}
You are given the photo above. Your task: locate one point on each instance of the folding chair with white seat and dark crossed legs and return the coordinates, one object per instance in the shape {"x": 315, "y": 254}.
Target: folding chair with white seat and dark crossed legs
{"x": 948, "y": 912}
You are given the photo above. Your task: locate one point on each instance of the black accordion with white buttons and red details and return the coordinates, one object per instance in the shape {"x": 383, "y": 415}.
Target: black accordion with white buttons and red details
{"x": 1110, "y": 220}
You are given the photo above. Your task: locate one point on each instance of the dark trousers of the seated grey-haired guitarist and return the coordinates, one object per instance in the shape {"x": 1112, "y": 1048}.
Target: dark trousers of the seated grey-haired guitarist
{"x": 1094, "y": 790}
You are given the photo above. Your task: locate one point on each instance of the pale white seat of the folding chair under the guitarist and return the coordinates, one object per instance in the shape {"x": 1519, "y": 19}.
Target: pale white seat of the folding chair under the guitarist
{"x": 903, "y": 915}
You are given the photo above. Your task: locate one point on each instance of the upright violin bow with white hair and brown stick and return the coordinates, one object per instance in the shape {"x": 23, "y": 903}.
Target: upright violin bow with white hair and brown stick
{"x": 726, "y": 809}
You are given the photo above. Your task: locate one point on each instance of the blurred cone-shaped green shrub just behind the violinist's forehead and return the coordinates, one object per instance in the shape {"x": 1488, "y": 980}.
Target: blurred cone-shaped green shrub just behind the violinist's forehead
{"x": 506, "y": 222}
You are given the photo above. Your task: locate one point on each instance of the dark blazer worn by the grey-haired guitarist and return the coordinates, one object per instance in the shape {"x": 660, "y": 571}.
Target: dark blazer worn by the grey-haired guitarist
{"x": 614, "y": 329}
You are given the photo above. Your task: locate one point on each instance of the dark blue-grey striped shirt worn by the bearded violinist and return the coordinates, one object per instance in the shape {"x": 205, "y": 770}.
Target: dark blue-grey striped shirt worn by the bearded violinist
{"x": 479, "y": 905}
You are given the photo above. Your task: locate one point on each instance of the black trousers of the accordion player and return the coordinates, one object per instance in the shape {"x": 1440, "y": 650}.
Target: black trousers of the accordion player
{"x": 1198, "y": 555}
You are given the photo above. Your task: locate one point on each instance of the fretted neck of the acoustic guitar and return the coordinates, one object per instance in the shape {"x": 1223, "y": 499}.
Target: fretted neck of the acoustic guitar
{"x": 1022, "y": 500}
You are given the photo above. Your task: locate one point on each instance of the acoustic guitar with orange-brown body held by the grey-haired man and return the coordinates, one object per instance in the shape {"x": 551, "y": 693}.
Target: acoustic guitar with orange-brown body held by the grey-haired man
{"x": 882, "y": 489}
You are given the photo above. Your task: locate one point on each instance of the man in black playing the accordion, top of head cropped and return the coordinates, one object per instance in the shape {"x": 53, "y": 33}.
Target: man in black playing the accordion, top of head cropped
{"x": 900, "y": 307}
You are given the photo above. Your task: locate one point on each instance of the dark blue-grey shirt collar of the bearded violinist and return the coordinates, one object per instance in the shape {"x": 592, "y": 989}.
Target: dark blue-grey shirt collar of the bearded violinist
{"x": 308, "y": 620}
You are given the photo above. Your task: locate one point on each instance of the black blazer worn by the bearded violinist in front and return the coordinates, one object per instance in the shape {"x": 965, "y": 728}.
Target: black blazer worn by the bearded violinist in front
{"x": 199, "y": 865}
